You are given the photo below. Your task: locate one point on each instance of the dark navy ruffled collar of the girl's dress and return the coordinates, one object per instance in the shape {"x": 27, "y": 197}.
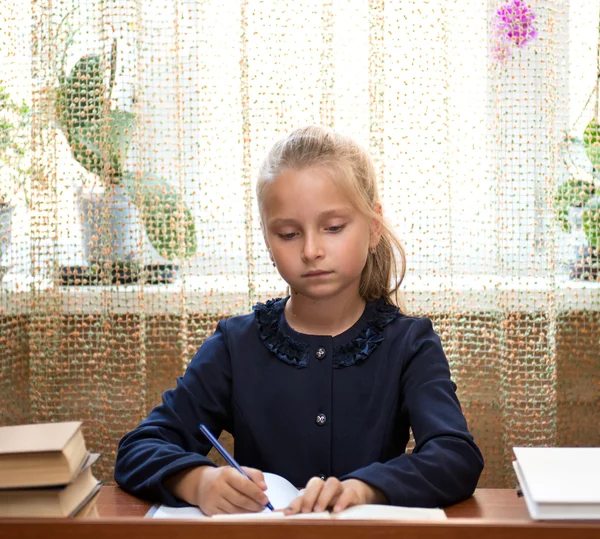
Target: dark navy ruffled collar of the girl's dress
{"x": 354, "y": 345}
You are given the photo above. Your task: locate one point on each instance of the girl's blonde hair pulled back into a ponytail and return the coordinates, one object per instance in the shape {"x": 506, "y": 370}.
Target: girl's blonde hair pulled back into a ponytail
{"x": 351, "y": 167}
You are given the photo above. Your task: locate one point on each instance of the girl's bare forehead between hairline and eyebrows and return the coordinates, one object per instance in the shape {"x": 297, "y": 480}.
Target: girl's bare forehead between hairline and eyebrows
{"x": 302, "y": 192}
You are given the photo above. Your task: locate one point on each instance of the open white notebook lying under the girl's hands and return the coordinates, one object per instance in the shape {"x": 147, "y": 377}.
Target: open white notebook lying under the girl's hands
{"x": 281, "y": 493}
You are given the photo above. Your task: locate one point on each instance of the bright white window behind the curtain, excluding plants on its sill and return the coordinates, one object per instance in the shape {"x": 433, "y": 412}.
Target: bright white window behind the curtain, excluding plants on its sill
{"x": 468, "y": 151}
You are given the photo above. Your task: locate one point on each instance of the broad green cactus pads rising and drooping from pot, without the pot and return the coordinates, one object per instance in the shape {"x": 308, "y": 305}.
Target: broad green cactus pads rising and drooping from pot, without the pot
{"x": 99, "y": 138}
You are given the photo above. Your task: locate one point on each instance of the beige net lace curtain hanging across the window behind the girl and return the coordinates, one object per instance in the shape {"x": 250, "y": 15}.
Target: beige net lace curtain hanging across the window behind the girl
{"x": 131, "y": 134}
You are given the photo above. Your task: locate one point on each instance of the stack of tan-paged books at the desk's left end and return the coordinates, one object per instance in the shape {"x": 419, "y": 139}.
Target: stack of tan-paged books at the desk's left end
{"x": 45, "y": 470}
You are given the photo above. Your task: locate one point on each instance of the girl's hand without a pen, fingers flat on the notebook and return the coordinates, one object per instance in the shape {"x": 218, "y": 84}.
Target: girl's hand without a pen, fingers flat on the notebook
{"x": 334, "y": 494}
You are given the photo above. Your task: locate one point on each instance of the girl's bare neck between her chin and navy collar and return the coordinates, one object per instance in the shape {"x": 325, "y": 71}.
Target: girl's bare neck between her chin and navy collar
{"x": 328, "y": 316}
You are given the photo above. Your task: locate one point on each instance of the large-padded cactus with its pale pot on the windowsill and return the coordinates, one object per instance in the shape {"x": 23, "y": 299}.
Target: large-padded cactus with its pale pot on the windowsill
{"x": 99, "y": 138}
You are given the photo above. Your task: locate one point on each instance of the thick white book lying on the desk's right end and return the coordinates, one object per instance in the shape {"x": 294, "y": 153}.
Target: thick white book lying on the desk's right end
{"x": 559, "y": 482}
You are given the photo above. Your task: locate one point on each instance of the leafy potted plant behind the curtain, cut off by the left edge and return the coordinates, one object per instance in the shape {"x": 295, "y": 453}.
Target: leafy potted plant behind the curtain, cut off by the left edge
{"x": 14, "y": 166}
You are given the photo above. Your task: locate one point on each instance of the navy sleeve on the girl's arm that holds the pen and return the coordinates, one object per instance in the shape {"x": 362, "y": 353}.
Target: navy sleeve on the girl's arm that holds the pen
{"x": 169, "y": 440}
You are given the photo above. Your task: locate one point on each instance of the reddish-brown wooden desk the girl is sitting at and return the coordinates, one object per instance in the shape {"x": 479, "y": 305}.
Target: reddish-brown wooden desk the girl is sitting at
{"x": 489, "y": 514}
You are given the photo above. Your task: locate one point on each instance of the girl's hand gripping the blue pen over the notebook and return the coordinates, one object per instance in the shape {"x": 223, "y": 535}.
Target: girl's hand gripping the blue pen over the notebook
{"x": 220, "y": 490}
